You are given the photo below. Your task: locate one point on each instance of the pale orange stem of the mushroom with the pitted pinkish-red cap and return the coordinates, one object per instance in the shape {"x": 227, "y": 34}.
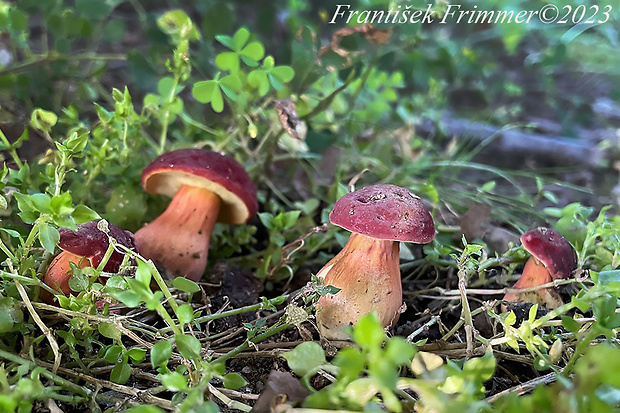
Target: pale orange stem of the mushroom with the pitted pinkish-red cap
{"x": 368, "y": 275}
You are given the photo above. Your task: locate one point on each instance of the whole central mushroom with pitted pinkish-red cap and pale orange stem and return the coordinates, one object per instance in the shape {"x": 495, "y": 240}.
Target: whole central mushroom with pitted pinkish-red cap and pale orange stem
{"x": 367, "y": 269}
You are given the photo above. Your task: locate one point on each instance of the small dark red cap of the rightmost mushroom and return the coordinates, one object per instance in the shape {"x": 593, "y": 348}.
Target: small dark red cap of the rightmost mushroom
{"x": 552, "y": 249}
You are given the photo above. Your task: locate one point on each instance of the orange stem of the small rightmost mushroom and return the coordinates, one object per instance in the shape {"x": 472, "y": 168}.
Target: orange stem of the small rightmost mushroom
{"x": 535, "y": 274}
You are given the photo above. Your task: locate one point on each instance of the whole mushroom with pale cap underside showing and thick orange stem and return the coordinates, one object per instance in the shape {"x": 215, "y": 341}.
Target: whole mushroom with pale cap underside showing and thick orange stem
{"x": 205, "y": 187}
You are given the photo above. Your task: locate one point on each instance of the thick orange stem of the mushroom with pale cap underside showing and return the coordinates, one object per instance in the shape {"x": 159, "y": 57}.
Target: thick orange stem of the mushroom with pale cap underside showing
{"x": 178, "y": 240}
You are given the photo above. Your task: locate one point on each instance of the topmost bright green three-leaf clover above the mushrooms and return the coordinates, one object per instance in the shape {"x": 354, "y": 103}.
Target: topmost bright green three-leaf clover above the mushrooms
{"x": 250, "y": 53}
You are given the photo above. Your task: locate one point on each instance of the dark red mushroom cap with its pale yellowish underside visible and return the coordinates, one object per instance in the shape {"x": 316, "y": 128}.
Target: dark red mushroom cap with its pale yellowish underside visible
{"x": 219, "y": 174}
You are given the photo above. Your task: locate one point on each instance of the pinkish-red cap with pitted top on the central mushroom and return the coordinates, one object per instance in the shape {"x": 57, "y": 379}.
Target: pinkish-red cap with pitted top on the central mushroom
{"x": 386, "y": 212}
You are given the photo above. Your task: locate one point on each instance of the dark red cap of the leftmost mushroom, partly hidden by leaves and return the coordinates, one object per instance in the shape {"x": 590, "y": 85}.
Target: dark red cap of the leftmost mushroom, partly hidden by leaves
{"x": 90, "y": 242}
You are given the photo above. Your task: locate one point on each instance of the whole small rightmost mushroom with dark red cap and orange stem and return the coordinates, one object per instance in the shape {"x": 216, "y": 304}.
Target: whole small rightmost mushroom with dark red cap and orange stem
{"x": 553, "y": 258}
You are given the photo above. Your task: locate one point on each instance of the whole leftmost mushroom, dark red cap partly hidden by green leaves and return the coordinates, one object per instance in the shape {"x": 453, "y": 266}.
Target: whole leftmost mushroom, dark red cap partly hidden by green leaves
{"x": 84, "y": 247}
